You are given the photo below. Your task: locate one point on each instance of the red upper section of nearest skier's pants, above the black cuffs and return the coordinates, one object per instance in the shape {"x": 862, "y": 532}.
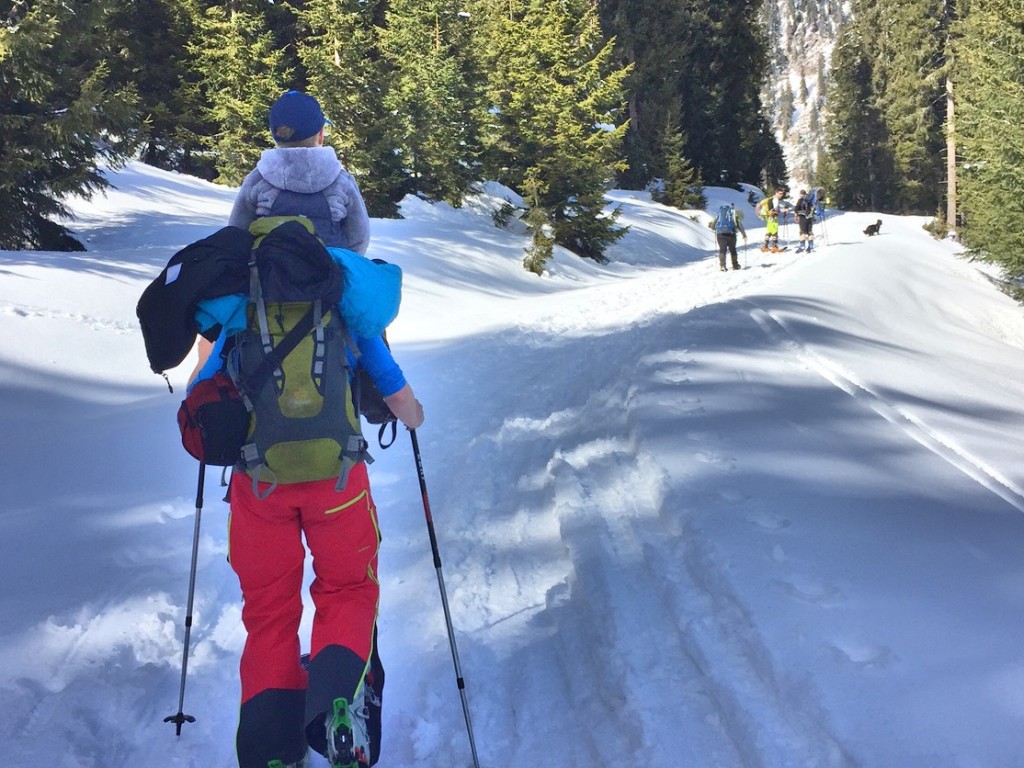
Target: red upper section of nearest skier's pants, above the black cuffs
{"x": 268, "y": 554}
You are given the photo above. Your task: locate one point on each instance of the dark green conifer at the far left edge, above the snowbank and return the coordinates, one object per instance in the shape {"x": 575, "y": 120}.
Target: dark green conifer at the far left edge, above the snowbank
{"x": 61, "y": 121}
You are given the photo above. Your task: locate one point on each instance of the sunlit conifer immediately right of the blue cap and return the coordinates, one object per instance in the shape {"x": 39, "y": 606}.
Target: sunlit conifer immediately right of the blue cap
{"x": 348, "y": 72}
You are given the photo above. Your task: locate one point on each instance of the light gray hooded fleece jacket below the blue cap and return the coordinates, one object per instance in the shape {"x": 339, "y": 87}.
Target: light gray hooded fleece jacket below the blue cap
{"x": 319, "y": 187}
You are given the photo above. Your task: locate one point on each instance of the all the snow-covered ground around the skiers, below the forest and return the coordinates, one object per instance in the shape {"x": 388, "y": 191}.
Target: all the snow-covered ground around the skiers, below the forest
{"x": 764, "y": 519}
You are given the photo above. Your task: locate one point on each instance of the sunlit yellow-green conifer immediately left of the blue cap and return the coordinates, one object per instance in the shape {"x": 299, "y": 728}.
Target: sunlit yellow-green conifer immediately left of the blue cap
{"x": 241, "y": 73}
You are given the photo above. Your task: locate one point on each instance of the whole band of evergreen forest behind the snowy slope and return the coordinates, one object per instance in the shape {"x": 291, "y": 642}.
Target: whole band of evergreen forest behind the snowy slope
{"x": 559, "y": 100}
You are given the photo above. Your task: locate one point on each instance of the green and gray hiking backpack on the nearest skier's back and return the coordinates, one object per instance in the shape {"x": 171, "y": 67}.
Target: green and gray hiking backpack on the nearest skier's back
{"x": 290, "y": 364}
